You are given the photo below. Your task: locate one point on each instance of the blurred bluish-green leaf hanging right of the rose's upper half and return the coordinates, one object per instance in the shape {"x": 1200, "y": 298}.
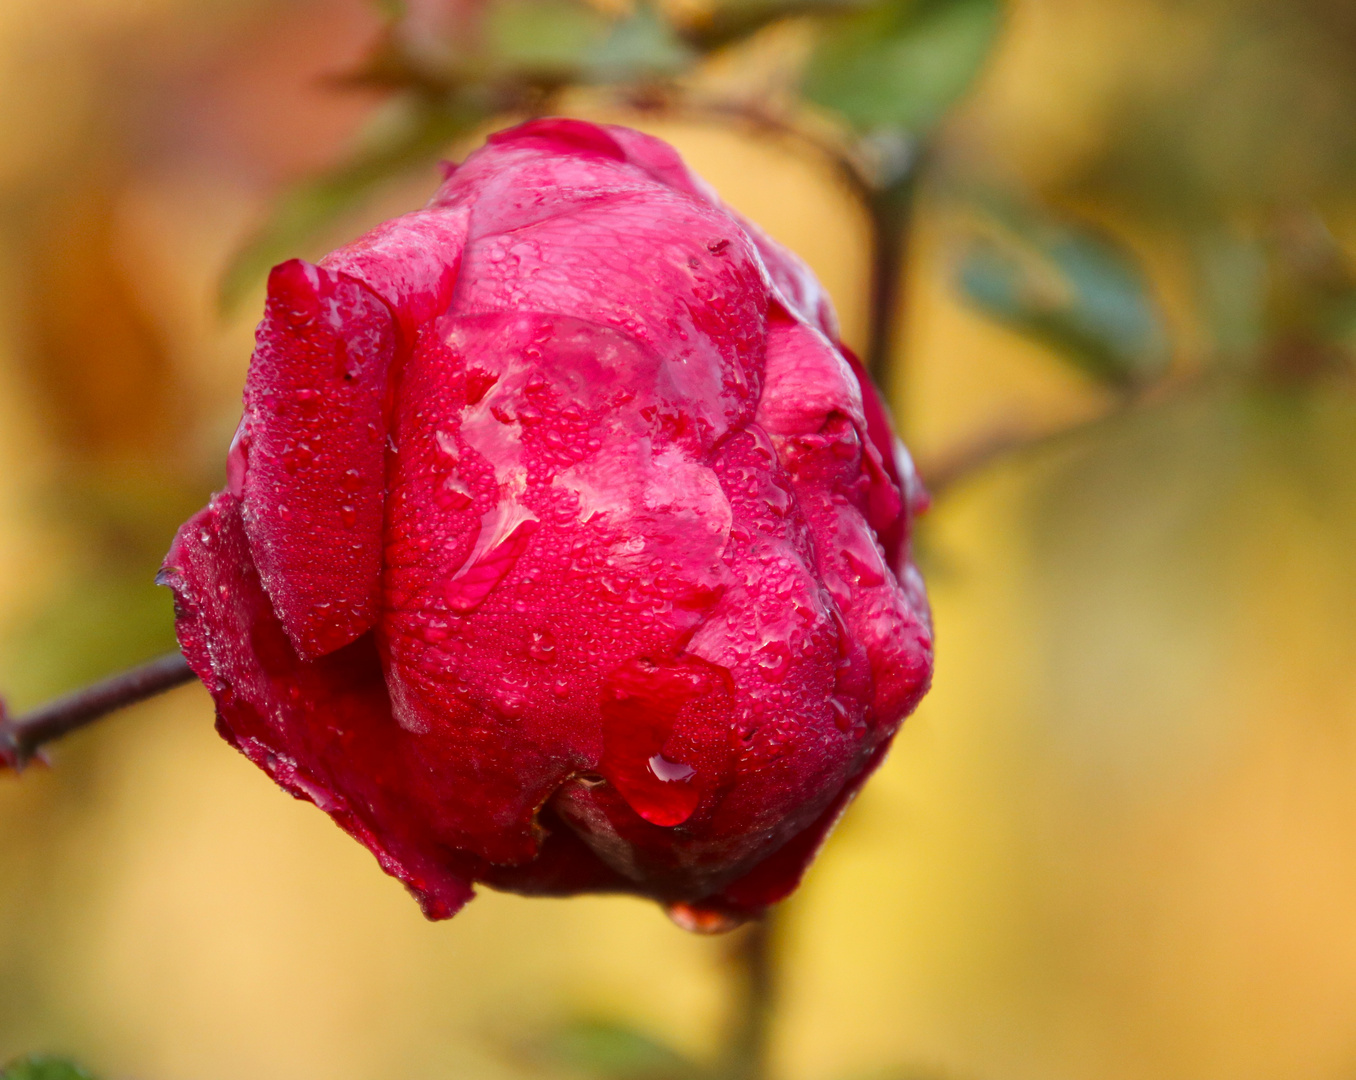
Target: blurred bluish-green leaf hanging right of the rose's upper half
{"x": 1073, "y": 290}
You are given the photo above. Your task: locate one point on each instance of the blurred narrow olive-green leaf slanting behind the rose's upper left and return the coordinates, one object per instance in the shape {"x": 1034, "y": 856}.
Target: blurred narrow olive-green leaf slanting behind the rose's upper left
{"x": 401, "y": 142}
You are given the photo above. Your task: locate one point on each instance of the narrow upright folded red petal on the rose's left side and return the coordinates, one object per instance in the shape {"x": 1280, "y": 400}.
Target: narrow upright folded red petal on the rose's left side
{"x": 310, "y": 455}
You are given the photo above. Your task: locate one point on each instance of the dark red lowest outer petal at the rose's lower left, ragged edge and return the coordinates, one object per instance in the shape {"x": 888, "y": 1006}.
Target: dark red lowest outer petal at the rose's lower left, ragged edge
{"x": 321, "y": 729}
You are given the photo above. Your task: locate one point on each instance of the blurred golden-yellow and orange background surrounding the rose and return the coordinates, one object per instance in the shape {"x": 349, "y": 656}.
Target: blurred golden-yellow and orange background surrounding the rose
{"x": 1119, "y": 838}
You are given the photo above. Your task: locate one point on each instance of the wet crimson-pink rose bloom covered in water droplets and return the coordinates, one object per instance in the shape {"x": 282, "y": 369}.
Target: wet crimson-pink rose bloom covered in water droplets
{"x": 565, "y": 547}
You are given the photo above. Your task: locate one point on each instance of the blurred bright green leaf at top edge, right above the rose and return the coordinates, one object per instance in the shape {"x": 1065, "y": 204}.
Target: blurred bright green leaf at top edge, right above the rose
{"x": 900, "y": 66}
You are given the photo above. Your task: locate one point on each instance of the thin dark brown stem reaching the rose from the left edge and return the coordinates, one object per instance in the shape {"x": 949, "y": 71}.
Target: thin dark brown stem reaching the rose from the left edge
{"x": 22, "y": 737}
